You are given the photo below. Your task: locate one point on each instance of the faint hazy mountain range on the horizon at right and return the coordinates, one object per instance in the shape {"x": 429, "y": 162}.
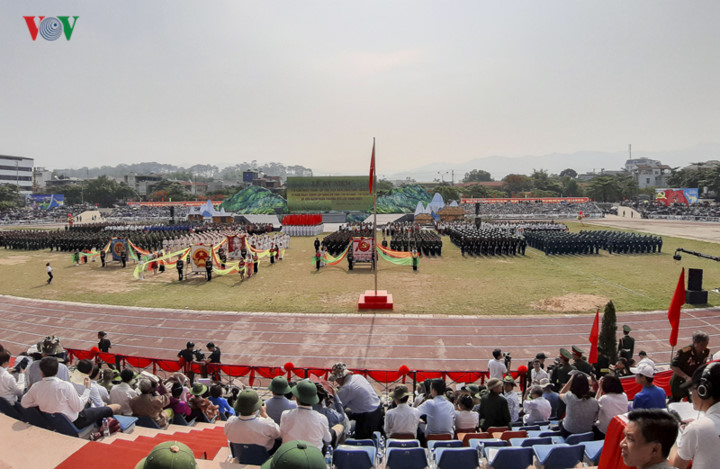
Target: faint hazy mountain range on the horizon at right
{"x": 581, "y": 161}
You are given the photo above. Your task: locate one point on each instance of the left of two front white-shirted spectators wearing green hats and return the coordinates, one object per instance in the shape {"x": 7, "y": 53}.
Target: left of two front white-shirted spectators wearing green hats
{"x": 252, "y": 425}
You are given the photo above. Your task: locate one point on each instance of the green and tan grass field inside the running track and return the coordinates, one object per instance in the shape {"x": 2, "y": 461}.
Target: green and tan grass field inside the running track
{"x": 505, "y": 285}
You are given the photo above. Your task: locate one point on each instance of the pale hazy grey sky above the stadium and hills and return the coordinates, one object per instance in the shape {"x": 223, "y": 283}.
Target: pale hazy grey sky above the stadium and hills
{"x": 310, "y": 82}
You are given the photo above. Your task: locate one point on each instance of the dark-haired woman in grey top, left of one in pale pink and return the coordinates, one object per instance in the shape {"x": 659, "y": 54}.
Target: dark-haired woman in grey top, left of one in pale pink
{"x": 581, "y": 409}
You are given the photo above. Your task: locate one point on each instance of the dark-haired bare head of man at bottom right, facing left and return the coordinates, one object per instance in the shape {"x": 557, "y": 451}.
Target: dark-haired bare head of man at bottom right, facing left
{"x": 649, "y": 436}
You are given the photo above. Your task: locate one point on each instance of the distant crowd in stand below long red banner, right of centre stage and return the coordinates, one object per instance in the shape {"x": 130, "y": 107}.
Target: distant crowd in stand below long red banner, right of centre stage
{"x": 534, "y": 209}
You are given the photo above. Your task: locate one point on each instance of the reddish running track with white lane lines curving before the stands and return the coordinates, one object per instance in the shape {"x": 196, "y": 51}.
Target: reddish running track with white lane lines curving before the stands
{"x": 364, "y": 341}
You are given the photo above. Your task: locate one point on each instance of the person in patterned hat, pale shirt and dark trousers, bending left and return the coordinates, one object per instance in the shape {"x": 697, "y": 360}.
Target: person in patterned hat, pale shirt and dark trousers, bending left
{"x": 361, "y": 402}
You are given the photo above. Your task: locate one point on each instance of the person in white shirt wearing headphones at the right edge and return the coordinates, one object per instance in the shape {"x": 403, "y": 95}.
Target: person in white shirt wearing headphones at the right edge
{"x": 699, "y": 441}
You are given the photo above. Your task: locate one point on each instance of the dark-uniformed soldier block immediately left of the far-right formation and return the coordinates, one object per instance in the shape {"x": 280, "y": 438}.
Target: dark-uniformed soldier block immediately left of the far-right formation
{"x": 486, "y": 240}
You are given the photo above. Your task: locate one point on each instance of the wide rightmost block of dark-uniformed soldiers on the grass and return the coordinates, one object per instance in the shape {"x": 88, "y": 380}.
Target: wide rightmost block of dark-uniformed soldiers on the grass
{"x": 590, "y": 242}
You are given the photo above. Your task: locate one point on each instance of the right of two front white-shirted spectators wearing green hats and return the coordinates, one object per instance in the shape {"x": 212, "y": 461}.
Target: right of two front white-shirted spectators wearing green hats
{"x": 303, "y": 423}
